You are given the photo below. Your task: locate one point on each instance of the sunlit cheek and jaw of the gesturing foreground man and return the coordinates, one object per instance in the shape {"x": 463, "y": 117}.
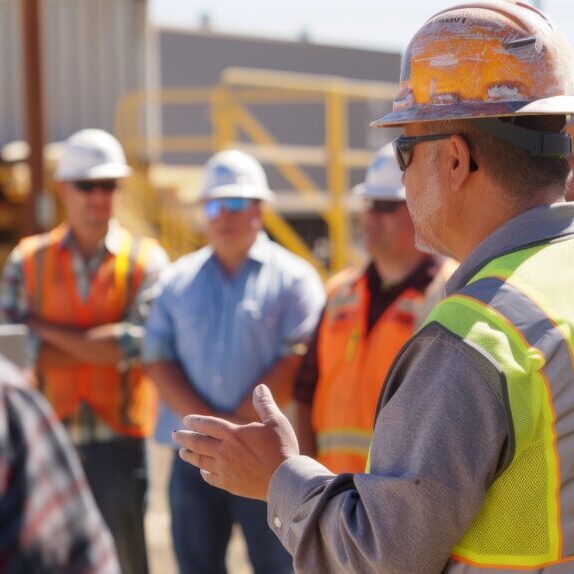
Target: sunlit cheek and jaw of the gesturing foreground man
{"x": 425, "y": 194}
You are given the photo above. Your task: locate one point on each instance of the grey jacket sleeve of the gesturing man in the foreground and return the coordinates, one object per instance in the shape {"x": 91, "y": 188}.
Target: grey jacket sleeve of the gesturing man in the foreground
{"x": 439, "y": 441}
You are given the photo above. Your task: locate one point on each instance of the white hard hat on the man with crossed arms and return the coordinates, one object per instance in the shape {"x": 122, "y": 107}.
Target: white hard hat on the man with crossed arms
{"x": 92, "y": 154}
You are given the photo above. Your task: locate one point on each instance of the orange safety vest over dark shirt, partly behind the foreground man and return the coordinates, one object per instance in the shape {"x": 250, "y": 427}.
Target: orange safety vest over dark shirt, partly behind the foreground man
{"x": 353, "y": 365}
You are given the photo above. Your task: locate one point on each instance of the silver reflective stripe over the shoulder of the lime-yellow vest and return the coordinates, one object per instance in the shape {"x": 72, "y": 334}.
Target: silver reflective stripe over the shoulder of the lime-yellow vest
{"x": 540, "y": 332}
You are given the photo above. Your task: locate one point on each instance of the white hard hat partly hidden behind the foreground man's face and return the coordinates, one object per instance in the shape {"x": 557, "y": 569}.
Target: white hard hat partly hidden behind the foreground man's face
{"x": 383, "y": 180}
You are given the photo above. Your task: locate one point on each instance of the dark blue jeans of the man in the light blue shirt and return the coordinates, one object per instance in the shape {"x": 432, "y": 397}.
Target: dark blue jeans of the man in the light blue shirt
{"x": 202, "y": 517}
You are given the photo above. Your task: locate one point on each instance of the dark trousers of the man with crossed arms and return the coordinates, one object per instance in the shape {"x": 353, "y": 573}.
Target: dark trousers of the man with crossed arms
{"x": 117, "y": 473}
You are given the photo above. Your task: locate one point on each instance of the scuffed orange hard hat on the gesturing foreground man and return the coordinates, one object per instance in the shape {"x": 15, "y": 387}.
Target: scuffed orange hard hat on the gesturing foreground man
{"x": 484, "y": 59}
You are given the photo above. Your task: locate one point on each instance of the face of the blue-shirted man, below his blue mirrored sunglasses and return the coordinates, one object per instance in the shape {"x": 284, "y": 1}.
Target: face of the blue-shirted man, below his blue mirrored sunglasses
{"x": 235, "y": 230}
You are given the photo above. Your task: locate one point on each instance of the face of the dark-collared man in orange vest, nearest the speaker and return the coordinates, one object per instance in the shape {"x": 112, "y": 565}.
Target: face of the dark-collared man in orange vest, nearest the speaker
{"x": 386, "y": 227}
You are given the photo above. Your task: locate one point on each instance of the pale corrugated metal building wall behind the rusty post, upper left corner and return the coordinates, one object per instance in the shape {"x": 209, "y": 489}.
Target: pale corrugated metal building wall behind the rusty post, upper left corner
{"x": 94, "y": 51}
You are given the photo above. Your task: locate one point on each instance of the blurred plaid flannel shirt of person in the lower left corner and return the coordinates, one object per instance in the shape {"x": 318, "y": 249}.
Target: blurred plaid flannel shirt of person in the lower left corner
{"x": 49, "y": 522}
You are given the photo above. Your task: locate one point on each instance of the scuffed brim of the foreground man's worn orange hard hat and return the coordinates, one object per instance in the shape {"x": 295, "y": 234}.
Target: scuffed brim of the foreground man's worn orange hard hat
{"x": 554, "y": 106}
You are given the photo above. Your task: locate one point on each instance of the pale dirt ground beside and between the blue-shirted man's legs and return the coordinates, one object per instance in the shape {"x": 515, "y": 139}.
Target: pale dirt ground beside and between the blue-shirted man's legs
{"x": 158, "y": 523}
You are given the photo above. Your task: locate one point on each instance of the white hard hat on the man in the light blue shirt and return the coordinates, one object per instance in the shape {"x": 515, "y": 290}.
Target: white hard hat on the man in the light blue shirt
{"x": 234, "y": 173}
